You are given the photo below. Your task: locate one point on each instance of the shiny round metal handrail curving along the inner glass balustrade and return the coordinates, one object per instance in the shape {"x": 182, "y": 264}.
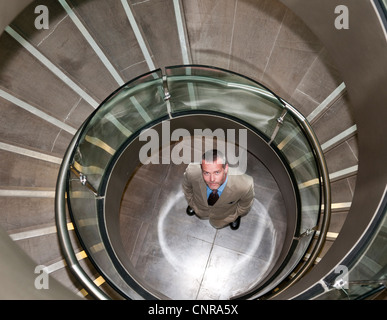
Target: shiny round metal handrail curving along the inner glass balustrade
{"x": 60, "y": 202}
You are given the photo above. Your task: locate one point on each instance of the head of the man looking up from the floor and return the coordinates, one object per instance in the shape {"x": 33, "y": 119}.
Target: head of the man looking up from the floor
{"x": 214, "y": 168}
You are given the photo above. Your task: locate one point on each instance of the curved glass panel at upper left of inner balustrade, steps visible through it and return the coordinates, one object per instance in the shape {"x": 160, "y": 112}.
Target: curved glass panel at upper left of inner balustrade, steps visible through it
{"x": 135, "y": 105}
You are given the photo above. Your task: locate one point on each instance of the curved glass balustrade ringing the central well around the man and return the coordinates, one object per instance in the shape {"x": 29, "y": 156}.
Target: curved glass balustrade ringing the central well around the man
{"x": 156, "y": 97}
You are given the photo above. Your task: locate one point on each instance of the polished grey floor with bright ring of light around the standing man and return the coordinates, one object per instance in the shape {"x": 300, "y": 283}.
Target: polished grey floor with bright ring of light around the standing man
{"x": 184, "y": 257}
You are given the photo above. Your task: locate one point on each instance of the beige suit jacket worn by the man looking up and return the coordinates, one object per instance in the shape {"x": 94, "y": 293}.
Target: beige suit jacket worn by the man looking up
{"x": 236, "y": 199}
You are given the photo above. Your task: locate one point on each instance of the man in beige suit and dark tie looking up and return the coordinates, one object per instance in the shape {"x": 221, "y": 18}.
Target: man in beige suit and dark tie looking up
{"x": 213, "y": 194}
